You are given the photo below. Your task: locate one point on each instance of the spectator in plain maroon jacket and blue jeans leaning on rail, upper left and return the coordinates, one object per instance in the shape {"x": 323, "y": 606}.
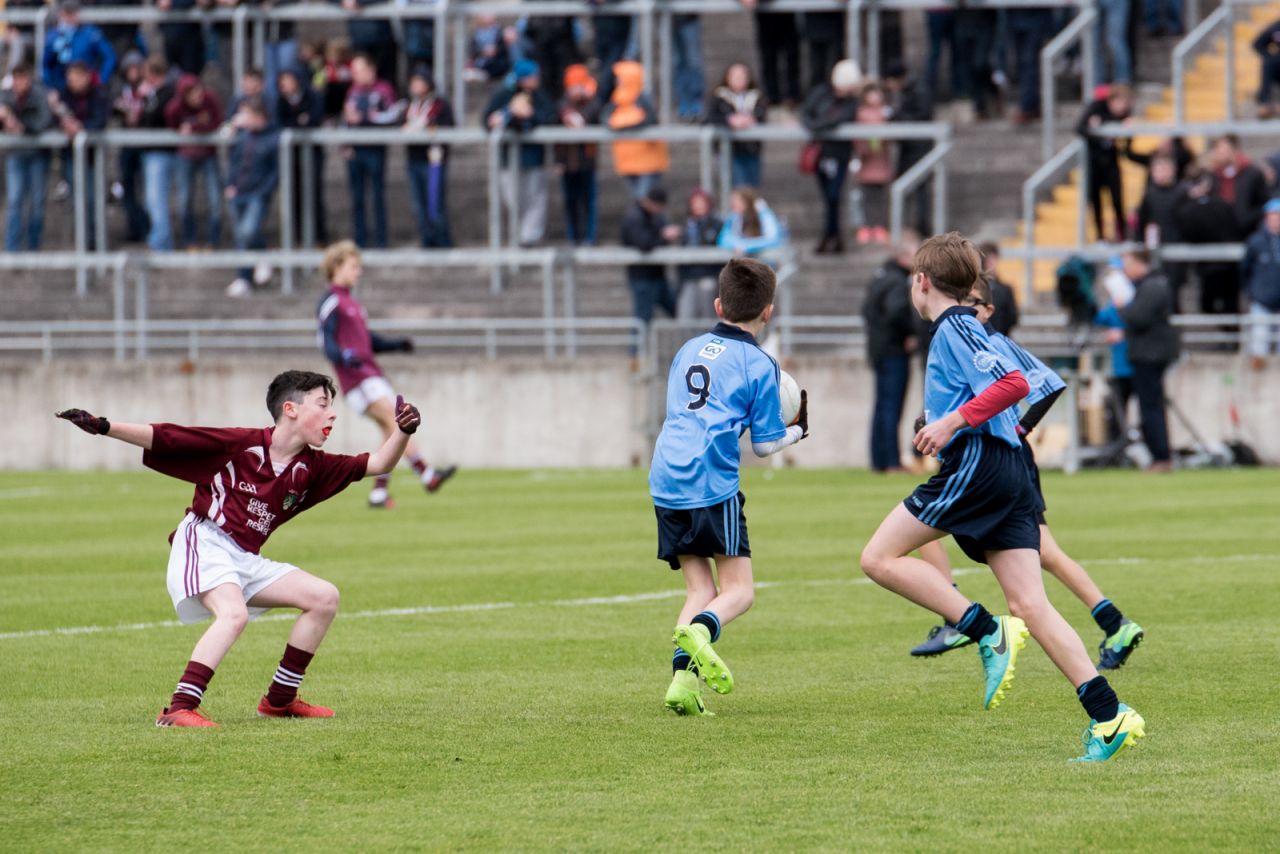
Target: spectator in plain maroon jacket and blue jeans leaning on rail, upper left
{"x": 195, "y": 109}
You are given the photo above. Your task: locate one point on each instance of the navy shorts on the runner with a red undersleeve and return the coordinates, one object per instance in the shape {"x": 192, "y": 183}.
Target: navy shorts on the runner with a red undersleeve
{"x": 982, "y": 496}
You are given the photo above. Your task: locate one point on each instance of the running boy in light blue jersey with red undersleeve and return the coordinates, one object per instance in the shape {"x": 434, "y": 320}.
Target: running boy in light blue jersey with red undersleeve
{"x": 985, "y": 499}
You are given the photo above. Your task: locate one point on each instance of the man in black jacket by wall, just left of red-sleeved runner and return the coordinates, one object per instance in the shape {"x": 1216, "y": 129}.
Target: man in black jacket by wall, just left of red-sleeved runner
{"x": 890, "y": 331}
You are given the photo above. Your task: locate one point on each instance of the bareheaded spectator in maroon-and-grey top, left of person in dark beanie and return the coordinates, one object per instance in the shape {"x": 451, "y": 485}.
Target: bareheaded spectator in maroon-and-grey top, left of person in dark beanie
{"x": 371, "y": 104}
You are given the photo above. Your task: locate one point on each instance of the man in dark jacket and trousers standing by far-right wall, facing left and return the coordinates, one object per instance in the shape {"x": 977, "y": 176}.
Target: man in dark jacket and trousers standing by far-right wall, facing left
{"x": 1153, "y": 348}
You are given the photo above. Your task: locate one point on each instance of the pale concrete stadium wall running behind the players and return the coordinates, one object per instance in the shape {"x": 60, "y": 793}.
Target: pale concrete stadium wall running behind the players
{"x": 524, "y": 413}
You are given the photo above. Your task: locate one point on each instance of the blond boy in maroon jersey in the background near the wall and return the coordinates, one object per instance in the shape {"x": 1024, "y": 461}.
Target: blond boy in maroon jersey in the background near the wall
{"x": 349, "y": 345}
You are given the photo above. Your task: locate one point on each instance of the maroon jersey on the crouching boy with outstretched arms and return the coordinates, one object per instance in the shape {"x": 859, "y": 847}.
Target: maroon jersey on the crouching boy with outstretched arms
{"x": 237, "y": 487}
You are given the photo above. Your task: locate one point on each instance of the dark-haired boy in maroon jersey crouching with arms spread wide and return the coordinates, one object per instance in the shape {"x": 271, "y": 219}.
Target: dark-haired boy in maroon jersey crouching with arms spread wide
{"x": 250, "y": 482}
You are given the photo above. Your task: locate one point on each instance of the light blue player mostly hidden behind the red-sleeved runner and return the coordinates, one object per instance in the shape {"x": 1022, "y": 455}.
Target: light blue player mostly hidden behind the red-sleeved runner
{"x": 1121, "y": 636}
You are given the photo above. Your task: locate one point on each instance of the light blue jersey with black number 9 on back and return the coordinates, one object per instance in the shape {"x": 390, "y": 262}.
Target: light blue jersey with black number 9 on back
{"x": 721, "y": 385}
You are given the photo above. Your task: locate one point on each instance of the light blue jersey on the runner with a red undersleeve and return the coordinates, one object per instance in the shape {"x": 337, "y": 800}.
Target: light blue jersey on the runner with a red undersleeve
{"x": 963, "y": 364}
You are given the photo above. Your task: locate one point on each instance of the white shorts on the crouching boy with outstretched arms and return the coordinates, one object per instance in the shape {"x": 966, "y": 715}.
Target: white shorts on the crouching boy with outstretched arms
{"x": 203, "y": 558}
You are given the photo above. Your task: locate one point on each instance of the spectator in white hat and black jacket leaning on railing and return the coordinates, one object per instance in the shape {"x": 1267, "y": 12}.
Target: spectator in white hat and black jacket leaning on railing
{"x": 828, "y": 108}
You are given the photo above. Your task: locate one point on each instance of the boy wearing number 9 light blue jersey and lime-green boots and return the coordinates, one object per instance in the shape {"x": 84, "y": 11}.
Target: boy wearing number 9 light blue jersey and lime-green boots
{"x": 721, "y": 386}
